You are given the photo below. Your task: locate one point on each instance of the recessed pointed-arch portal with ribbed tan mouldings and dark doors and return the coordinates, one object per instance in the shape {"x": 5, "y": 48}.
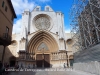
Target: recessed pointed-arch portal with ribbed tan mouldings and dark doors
{"x": 41, "y": 45}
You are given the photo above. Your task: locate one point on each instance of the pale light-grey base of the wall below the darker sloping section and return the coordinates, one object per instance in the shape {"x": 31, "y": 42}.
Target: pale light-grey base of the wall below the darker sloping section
{"x": 92, "y": 67}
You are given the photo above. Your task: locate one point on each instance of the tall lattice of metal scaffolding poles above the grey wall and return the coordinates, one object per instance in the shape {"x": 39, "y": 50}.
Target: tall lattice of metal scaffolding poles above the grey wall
{"x": 85, "y": 23}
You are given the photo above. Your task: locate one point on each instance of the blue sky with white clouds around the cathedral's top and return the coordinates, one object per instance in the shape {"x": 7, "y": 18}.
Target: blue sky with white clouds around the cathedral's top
{"x": 57, "y": 5}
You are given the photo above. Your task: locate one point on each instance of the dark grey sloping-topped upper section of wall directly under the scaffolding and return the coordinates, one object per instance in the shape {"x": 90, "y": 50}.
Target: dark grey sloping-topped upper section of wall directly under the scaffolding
{"x": 87, "y": 55}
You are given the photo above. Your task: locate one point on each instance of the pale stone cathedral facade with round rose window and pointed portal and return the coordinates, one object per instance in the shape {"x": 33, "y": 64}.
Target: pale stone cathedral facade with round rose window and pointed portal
{"x": 43, "y": 41}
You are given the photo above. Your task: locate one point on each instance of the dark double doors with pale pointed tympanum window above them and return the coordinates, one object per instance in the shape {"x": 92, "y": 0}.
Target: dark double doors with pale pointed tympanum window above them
{"x": 43, "y": 60}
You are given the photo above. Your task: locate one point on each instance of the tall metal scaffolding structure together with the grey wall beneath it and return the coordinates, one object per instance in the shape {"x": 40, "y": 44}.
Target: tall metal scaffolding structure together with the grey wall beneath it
{"x": 85, "y": 29}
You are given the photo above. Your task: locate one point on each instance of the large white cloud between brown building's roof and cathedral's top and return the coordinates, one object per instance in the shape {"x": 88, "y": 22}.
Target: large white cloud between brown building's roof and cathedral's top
{"x": 21, "y": 5}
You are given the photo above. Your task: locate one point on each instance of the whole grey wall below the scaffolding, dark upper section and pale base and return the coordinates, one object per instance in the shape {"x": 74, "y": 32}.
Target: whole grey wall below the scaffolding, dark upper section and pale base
{"x": 88, "y": 60}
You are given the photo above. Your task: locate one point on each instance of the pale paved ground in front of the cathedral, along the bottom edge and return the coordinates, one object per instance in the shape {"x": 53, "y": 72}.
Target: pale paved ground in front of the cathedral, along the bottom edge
{"x": 50, "y": 72}
